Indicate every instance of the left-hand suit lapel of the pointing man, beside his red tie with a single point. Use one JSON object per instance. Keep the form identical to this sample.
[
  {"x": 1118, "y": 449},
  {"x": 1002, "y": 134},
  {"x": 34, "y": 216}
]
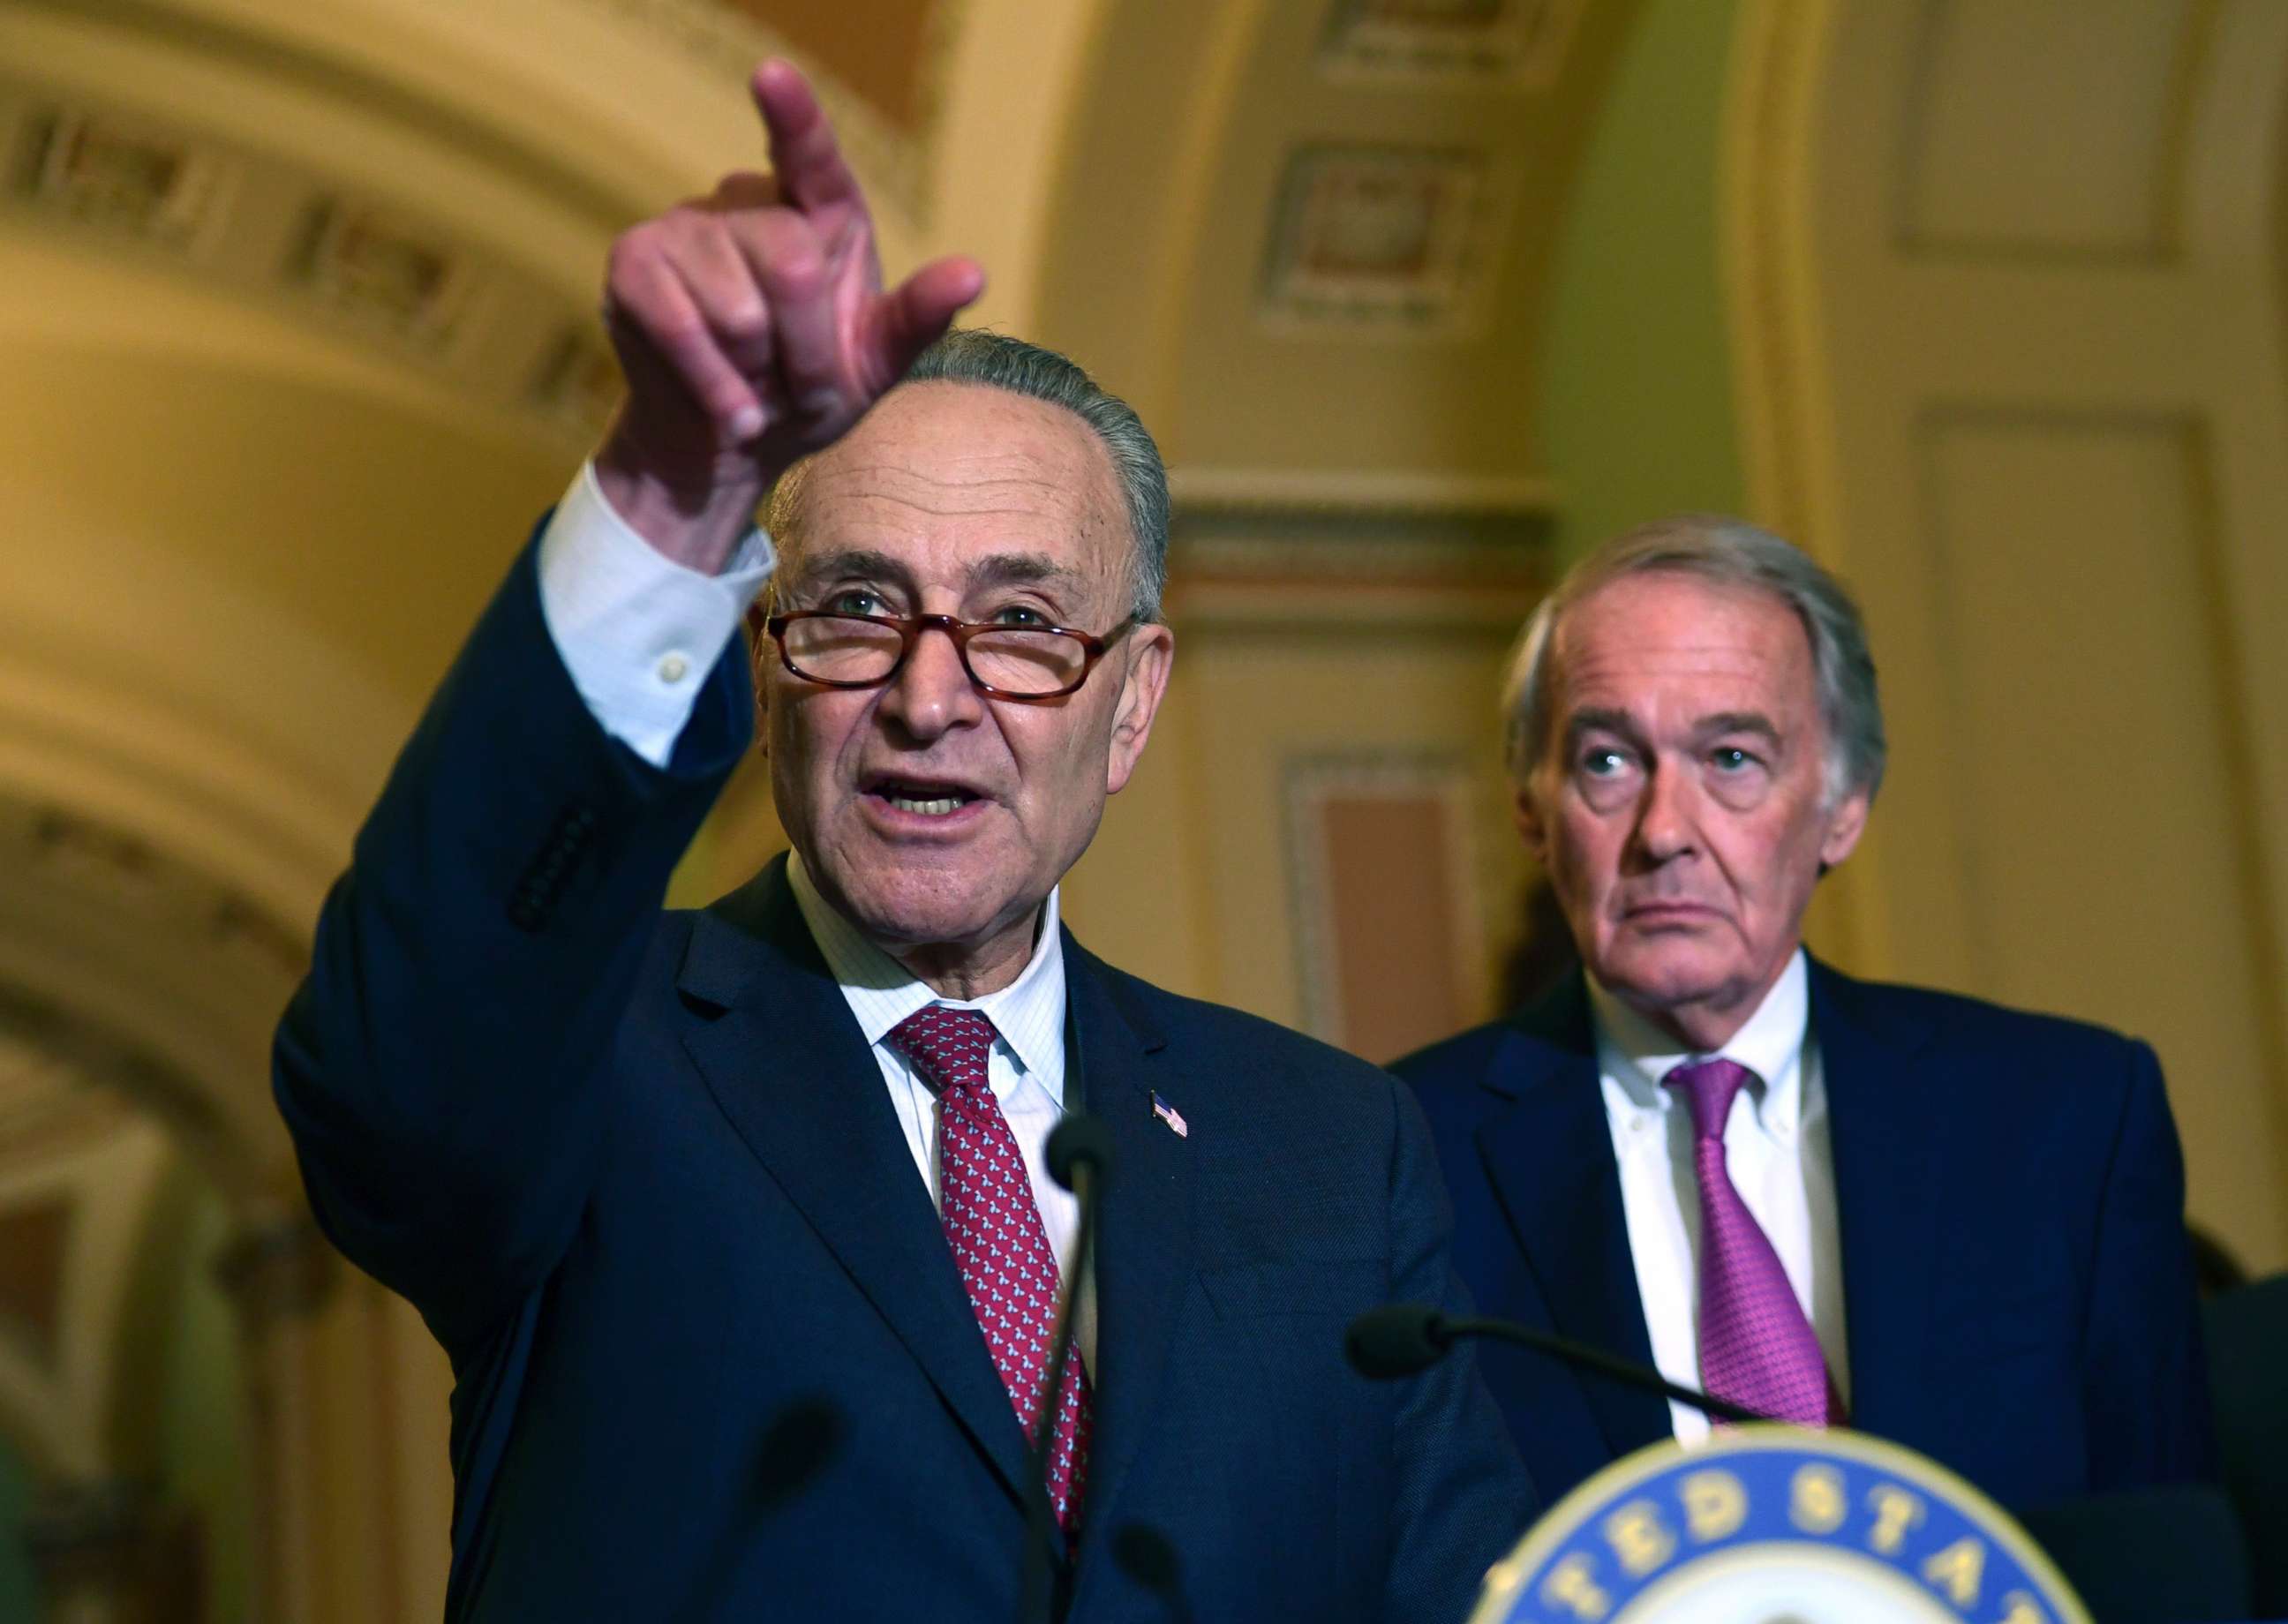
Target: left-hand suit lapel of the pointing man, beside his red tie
[{"x": 795, "y": 1076}]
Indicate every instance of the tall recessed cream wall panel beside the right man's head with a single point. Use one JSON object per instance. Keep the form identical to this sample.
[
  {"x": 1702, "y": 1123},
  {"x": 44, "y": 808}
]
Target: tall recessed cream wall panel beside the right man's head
[{"x": 2088, "y": 676}]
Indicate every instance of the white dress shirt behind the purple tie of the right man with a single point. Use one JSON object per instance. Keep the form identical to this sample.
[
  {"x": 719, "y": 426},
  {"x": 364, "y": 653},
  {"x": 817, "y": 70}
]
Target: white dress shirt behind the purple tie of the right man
[{"x": 1777, "y": 1149}]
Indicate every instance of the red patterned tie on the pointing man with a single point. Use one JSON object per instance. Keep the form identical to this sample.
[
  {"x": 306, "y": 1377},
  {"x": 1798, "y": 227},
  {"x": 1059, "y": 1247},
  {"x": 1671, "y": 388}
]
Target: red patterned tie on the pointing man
[{"x": 994, "y": 1225}]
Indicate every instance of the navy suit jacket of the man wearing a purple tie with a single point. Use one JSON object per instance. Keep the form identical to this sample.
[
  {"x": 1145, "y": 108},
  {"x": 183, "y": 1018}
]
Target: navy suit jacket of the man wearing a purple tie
[{"x": 2010, "y": 1195}]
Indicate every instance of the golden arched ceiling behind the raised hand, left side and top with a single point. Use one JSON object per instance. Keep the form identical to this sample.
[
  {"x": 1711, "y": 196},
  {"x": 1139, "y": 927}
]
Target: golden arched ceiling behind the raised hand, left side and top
[{"x": 296, "y": 337}]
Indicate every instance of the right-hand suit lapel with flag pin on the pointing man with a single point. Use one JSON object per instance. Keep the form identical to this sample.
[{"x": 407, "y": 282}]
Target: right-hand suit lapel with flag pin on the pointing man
[{"x": 1145, "y": 1241}]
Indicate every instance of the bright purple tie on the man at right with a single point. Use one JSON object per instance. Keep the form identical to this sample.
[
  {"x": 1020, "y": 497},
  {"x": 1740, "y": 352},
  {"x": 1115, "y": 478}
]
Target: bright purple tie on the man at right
[{"x": 1756, "y": 1344}]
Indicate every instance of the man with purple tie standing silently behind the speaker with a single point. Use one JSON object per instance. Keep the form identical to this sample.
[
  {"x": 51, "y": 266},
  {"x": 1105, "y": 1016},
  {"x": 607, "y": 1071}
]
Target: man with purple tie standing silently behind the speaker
[{"x": 1939, "y": 1220}]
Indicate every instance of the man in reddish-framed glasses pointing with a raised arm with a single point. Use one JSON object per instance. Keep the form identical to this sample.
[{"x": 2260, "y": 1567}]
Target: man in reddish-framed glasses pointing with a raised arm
[{"x": 736, "y": 1225}]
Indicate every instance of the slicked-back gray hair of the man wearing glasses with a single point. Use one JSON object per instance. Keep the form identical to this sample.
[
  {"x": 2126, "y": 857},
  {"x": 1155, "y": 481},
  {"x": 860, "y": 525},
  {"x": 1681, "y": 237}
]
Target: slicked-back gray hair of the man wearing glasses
[{"x": 992, "y": 360}]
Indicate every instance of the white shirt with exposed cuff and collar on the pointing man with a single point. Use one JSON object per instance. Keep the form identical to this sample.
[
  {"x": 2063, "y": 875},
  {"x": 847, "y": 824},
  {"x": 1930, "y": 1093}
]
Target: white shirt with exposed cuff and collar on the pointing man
[{"x": 639, "y": 635}]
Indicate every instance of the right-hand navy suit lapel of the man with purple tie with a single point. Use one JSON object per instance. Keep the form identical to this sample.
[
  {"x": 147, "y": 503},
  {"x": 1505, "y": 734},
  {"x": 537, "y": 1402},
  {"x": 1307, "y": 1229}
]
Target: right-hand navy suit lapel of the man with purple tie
[{"x": 1886, "y": 1140}]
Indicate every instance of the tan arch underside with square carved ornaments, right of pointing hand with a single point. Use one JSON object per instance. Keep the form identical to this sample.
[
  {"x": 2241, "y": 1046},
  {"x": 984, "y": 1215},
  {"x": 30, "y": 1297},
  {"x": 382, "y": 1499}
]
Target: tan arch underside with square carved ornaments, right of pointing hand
[{"x": 1312, "y": 239}]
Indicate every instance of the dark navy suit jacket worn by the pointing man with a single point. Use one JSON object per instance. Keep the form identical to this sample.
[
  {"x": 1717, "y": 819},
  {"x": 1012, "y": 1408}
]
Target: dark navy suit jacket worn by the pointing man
[{"x": 713, "y": 1355}]
